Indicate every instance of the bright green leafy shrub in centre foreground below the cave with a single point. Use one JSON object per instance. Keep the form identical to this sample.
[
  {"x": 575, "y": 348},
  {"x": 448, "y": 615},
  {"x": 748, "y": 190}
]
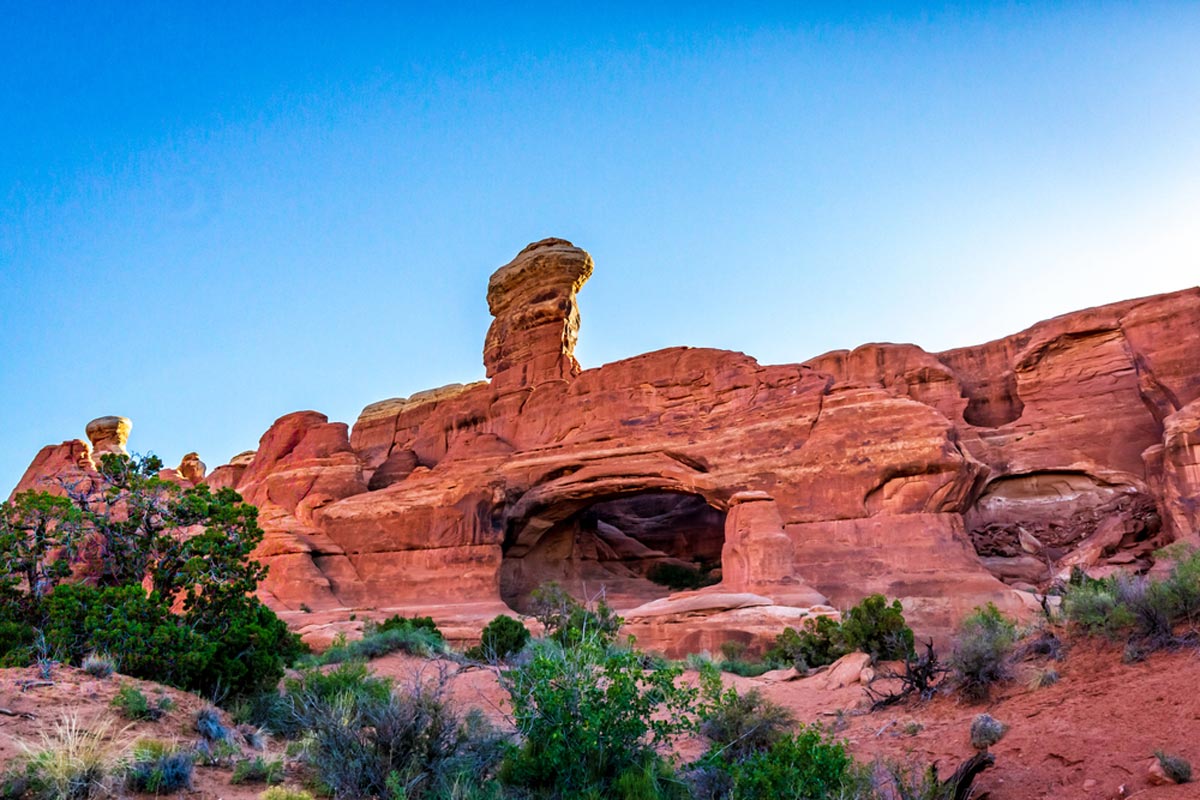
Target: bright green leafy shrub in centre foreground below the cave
[{"x": 589, "y": 713}]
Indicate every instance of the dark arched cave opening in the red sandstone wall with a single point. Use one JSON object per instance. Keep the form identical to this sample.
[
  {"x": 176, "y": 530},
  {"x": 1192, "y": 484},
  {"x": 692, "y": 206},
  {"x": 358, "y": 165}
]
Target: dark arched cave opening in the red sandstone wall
[{"x": 633, "y": 549}]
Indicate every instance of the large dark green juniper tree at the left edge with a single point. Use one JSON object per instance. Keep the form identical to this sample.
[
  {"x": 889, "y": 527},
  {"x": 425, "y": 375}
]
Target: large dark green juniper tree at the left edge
[{"x": 223, "y": 641}]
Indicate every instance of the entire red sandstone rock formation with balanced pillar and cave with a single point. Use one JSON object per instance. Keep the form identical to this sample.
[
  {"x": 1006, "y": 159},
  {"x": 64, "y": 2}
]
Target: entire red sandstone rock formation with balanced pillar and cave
[{"x": 947, "y": 480}]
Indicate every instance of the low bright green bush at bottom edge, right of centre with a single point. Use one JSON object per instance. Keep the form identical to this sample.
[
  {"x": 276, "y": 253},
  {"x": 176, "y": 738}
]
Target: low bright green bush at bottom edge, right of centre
[{"x": 807, "y": 765}]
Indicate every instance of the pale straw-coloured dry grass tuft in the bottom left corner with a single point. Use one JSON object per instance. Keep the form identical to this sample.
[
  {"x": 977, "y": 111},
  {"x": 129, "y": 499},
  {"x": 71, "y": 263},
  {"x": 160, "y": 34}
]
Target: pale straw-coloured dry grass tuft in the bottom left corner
[{"x": 74, "y": 762}]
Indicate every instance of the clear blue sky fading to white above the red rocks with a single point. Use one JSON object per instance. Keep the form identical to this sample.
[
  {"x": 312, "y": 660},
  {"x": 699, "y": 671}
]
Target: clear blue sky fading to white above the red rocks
[{"x": 215, "y": 214}]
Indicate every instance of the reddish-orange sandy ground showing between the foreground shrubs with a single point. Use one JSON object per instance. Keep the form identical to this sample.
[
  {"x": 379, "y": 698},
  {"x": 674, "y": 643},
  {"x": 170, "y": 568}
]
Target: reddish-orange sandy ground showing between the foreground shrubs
[{"x": 1091, "y": 736}]
